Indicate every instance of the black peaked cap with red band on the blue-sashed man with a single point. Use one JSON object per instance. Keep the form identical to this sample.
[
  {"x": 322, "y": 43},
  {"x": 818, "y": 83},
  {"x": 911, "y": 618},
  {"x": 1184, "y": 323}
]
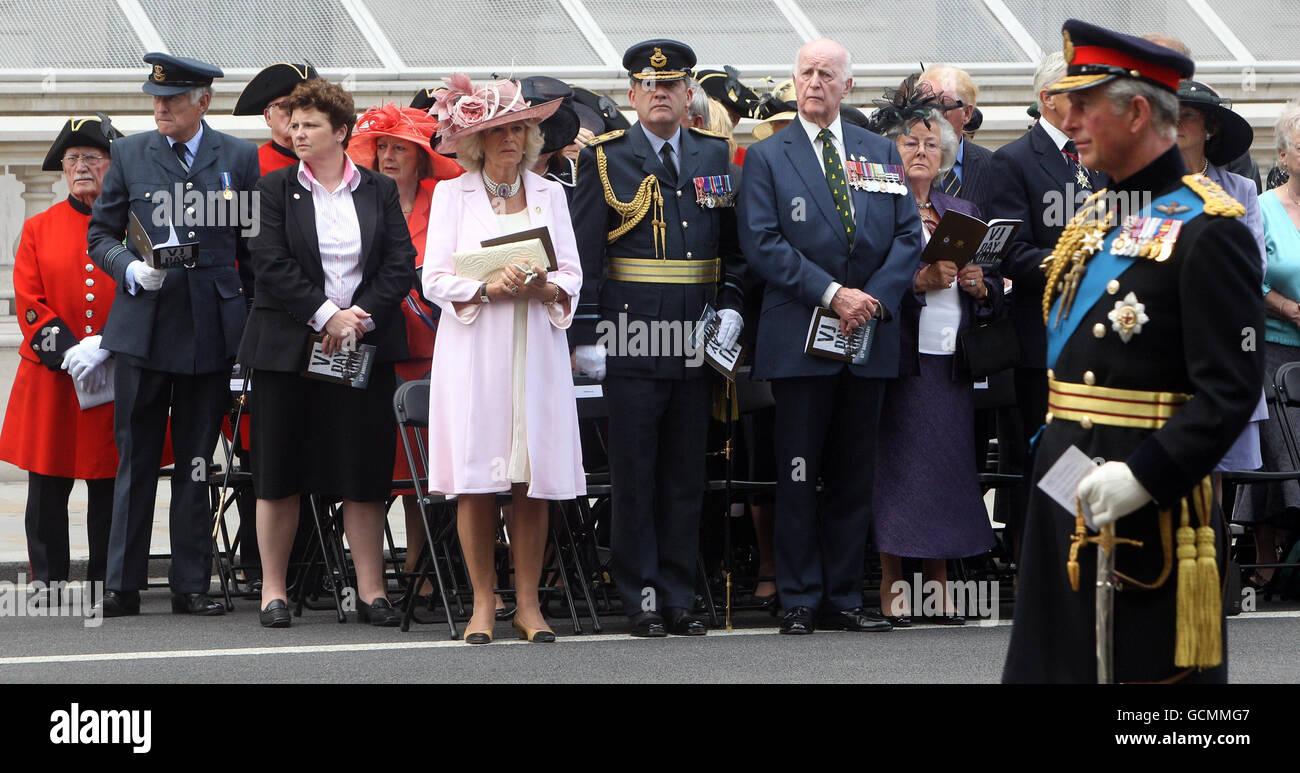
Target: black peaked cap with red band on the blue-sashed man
[{"x": 1097, "y": 55}]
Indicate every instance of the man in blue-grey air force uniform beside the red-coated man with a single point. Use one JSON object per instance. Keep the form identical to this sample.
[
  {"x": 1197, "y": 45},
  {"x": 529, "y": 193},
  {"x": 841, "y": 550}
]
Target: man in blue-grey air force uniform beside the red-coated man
[{"x": 175, "y": 331}]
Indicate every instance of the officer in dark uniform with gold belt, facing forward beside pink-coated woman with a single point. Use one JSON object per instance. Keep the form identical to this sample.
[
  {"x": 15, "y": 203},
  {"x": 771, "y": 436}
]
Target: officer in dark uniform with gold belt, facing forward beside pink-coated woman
[{"x": 655, "y": 220}]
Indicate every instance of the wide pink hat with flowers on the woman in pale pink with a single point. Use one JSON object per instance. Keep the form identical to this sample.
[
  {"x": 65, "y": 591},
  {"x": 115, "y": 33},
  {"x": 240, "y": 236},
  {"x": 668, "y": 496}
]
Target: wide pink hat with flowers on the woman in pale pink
[{"x": 462, "y": 108}]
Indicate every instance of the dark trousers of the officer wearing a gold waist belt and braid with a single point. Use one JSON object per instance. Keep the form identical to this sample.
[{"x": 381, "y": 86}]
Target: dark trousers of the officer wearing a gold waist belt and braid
[{"x": 658, "y": 433}]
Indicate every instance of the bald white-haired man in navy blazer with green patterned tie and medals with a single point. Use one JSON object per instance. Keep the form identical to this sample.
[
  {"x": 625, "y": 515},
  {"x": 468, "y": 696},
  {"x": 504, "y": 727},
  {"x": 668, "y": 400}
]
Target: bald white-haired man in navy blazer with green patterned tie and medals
[{"x": 818, "y": 244}]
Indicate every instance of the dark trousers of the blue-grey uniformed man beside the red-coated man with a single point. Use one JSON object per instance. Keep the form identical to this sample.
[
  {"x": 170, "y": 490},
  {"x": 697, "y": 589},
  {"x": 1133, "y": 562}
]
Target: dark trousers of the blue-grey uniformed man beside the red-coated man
[{"x": 140, "y": 424}]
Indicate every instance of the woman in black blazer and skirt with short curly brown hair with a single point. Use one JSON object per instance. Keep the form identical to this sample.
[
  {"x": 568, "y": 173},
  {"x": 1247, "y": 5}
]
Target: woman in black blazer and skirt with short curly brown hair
[{"x": 332, "y": 257}]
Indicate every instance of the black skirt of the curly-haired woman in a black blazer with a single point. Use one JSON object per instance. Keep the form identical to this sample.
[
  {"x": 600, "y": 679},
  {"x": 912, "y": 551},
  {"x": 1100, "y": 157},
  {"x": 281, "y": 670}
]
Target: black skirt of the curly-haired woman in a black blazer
[{"x": 314, "y": 437}]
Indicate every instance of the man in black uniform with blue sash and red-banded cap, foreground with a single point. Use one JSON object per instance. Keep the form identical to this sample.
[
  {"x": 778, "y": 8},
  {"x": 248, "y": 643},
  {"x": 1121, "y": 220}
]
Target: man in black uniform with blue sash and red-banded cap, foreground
[{"x": 1152, "y": 307}]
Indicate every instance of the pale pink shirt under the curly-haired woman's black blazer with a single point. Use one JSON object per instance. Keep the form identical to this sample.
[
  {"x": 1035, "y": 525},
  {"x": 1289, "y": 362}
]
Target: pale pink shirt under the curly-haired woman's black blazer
[{"x": 340, "y": 237}]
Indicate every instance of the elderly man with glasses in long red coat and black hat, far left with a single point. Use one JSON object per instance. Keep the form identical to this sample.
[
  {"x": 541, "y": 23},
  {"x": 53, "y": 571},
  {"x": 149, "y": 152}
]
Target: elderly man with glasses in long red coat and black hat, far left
[{"x": 63, "y": 301}]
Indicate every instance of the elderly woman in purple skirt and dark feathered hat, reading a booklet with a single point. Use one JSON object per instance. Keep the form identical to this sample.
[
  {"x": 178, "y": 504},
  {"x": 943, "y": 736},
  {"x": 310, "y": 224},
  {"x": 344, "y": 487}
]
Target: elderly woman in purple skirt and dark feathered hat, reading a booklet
[{"x": 928, "y": 502}]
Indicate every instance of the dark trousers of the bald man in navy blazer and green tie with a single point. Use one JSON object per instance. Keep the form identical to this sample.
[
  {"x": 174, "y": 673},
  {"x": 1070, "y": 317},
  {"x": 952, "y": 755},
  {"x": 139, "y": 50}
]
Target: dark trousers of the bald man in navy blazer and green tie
[{"x": 826, "y": 428}]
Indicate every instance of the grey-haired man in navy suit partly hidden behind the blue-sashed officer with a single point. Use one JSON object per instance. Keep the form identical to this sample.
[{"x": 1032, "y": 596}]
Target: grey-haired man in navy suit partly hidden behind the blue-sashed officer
[{"x": 1041, "y": 181}]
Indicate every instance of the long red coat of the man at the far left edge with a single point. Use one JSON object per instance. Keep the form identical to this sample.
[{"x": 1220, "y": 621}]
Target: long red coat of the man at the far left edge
[{"x": 62, "y": 297}]
